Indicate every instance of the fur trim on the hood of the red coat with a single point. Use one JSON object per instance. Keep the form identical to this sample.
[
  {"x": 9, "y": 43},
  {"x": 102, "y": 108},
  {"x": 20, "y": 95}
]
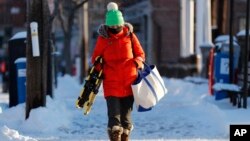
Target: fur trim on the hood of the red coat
[{"x": 103, "y": 30}]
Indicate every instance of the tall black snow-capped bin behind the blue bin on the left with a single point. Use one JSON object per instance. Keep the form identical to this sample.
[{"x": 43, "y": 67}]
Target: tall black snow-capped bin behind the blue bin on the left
[{"x": 16, "y": 49}]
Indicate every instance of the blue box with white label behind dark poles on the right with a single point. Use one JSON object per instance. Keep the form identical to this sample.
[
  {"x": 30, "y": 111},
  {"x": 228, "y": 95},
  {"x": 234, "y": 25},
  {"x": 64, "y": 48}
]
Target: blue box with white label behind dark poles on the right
[{"x": 221, "y": 65}]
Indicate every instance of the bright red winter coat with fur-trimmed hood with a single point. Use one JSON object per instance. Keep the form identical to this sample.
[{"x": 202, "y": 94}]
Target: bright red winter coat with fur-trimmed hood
[{"x": 120, "y": 60}]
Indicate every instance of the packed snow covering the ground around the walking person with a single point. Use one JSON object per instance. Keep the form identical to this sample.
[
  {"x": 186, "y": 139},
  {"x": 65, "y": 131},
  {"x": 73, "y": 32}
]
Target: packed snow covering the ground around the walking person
[{"x": 186, "y": 113}]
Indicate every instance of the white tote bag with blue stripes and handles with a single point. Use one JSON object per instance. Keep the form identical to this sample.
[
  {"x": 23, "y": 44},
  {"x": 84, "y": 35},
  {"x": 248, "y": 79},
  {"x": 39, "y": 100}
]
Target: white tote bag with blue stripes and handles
[{"x": 148, "y": 88}]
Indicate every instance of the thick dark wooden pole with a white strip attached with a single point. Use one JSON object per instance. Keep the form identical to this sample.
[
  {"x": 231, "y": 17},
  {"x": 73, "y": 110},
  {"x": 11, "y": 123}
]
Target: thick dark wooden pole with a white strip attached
[{"x": 37, "y": 66}]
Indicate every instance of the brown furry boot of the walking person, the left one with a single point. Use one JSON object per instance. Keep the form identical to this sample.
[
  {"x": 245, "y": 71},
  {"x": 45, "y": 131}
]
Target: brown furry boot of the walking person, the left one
[{"x": 115, "y": 133}]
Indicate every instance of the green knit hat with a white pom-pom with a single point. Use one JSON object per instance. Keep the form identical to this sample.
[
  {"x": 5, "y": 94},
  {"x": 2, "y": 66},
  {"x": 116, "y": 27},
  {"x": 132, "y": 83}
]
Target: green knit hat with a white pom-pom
[{"x": 113, "y": 15}]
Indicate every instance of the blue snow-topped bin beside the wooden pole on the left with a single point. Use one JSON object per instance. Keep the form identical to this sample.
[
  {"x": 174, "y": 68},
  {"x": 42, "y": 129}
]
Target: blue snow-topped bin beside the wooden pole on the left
[{"x": 21, "y": 79}]
